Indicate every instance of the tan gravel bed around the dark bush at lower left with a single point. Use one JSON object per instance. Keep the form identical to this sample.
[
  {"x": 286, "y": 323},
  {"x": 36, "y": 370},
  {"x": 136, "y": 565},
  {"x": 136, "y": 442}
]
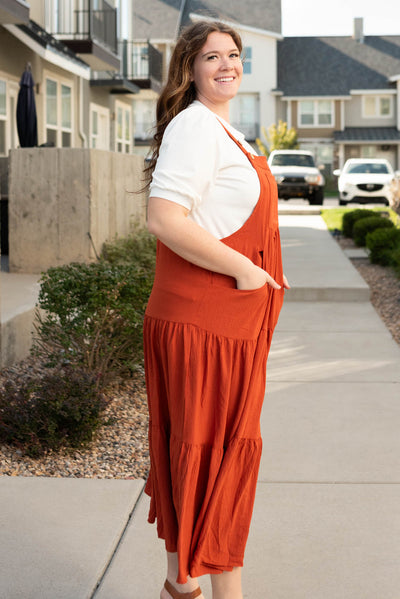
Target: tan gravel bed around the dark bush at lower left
[{"x": 120, "y": 449}]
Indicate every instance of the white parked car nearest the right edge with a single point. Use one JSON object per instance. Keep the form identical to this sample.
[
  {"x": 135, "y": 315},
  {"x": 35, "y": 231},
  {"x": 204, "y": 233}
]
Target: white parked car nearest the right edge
[{"x": 365, "y": 180}]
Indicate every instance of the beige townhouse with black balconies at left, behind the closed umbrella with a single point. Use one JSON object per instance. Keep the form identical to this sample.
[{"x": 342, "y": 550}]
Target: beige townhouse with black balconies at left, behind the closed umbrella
[{"x": 68, "y": 45}]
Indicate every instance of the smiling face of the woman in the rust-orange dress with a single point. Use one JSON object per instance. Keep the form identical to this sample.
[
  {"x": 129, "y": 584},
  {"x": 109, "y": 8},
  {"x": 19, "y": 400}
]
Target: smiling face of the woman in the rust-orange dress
[{"x": 217, "y": 70}]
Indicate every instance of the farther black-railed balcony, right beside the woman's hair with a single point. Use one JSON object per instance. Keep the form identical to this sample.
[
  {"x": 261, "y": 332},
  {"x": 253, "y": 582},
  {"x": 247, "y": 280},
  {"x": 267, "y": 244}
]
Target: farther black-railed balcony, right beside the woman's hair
[{"x": 142, "y": 64}]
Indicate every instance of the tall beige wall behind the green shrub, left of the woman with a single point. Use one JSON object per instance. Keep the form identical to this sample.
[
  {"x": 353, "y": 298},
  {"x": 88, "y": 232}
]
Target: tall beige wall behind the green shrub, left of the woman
[{"x": 59, "y": 195}]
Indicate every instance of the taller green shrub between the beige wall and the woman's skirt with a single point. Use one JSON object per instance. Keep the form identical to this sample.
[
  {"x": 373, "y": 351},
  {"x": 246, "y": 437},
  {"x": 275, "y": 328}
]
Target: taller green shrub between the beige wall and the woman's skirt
[{"x": 93, "y": 317}]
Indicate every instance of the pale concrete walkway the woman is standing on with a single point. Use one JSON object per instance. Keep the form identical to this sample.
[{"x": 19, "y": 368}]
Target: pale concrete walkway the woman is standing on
[{"x": 326, "y": 522}]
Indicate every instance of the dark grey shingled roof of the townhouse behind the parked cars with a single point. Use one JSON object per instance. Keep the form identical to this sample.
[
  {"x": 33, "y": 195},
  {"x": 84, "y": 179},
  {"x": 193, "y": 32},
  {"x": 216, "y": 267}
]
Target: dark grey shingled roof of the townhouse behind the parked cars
[{"x": 332, "y": 66}]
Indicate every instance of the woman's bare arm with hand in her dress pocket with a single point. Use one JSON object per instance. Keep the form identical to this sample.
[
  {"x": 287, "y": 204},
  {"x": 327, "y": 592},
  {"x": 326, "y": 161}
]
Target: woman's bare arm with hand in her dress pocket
[{"x": 168, "y": 221}]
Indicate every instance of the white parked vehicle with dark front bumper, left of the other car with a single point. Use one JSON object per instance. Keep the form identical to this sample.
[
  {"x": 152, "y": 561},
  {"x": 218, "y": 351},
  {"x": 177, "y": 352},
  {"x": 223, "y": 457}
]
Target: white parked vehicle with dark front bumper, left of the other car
[{"x": 297, "y": 175}]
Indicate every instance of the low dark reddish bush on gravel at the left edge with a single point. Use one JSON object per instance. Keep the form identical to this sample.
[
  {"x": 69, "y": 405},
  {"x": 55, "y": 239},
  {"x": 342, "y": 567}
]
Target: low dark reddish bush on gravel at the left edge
[{"x": 63, "y": 408}]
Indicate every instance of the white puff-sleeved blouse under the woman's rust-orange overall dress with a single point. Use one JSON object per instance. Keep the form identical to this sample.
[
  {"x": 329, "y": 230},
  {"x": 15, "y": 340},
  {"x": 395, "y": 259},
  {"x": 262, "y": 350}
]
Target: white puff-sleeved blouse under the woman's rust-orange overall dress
[{"x": 201, "y": 168}]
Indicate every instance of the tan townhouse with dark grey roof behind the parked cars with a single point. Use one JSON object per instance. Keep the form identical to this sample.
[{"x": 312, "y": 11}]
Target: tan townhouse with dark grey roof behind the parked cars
[{"x": 342, "y": 95}]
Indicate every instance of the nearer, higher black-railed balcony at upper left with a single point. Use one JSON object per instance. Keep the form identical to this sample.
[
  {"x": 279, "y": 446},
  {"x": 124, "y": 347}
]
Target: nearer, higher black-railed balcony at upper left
[{"x": 92, "y": 35}]
